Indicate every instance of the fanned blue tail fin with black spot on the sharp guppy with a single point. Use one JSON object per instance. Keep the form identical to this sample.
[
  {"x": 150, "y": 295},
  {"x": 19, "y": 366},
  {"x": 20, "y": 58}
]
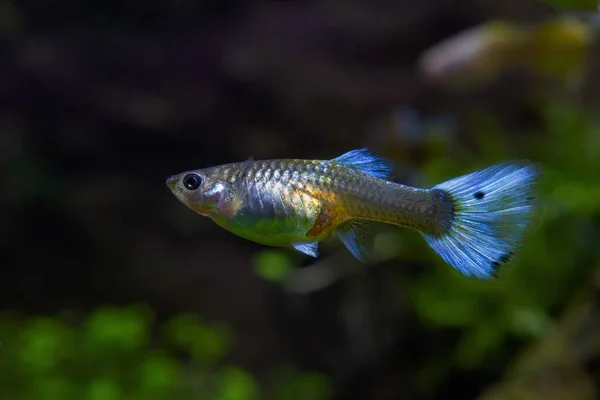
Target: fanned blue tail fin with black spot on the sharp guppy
[{"x": 492, "y": 209}]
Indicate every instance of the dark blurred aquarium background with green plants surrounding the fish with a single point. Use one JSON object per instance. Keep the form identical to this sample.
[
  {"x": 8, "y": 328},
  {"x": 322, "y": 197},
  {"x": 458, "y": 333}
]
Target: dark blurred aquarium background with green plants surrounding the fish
[{"x": 100, "y": 101}]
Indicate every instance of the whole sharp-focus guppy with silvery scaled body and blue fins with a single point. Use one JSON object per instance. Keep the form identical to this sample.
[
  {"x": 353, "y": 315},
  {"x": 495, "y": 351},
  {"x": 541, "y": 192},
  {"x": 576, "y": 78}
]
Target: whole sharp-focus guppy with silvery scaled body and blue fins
[{"x": 475, "y": 222}]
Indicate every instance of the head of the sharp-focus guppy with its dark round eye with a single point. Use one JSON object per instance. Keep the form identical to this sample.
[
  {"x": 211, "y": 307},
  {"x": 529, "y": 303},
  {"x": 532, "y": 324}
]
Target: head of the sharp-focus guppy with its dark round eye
[{"x": 206, "y": 192}]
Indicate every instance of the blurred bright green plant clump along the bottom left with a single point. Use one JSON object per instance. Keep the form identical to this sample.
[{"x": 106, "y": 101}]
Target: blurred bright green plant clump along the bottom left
[{"x": 114, "y": 354}]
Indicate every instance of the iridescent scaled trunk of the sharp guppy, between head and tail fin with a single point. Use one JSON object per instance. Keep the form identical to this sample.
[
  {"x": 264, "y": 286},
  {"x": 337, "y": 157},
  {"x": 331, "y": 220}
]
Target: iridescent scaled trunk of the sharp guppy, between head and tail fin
[{"x": 310, "y": 199}]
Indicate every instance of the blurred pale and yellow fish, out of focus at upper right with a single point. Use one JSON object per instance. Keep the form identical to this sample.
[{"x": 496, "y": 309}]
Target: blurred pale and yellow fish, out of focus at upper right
[{"x": 556, "y": 49}]
